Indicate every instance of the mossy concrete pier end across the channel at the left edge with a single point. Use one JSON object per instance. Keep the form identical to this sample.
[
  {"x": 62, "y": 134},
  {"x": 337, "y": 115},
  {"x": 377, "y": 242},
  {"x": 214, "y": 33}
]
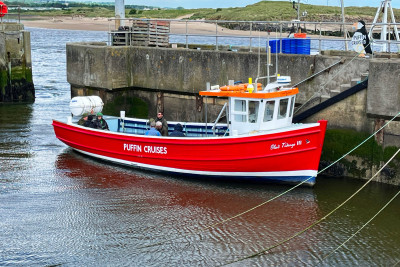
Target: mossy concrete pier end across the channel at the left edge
[{"x": 16, "y": 82}]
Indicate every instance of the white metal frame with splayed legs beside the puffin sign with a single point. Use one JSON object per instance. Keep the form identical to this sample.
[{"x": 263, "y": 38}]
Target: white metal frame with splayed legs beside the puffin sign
[{"x": 386, "y": 9}]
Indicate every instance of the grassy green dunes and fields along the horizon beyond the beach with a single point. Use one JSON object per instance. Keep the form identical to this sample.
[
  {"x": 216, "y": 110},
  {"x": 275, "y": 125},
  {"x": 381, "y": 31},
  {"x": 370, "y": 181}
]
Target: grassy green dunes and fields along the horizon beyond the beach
[{"x": 261, "y": 11}]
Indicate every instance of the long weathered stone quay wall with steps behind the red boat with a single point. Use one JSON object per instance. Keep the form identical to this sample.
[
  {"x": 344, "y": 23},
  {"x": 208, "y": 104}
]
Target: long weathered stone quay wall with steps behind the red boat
[{"x": 144, "y": 80}]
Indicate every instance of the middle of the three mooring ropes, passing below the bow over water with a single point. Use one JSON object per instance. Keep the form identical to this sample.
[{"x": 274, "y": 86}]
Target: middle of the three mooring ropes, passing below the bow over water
[{"x": 263, "y": 251}]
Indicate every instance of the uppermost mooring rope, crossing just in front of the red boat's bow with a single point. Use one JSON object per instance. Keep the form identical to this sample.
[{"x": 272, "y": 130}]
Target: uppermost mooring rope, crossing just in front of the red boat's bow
[{"x": 271, "y": 199}]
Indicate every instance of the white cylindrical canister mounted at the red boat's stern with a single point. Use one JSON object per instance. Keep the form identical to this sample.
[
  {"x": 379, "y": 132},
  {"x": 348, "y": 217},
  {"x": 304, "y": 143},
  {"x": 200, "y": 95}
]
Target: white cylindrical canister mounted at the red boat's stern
[{"x": 81, "y": 104}]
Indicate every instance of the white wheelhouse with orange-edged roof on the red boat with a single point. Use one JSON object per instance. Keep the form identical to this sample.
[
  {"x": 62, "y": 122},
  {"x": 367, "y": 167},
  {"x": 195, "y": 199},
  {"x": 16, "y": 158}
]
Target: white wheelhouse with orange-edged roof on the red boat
[{"x": 258, "y": 110}]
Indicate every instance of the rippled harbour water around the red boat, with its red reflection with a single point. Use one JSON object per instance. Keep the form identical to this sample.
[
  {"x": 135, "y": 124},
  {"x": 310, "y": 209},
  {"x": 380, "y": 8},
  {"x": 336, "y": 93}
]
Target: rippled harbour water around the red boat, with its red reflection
[{"x": 58, "y": 207}]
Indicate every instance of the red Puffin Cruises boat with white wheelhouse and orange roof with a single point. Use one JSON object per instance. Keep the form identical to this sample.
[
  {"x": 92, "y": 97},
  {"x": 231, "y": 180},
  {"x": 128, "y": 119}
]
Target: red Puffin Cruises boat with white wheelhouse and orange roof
[{"x": 259, "y": 142}]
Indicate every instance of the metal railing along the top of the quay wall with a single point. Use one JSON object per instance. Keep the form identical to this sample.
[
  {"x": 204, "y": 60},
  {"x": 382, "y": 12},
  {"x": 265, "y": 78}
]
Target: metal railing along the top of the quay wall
[{"x": 253, "y": 34}]
